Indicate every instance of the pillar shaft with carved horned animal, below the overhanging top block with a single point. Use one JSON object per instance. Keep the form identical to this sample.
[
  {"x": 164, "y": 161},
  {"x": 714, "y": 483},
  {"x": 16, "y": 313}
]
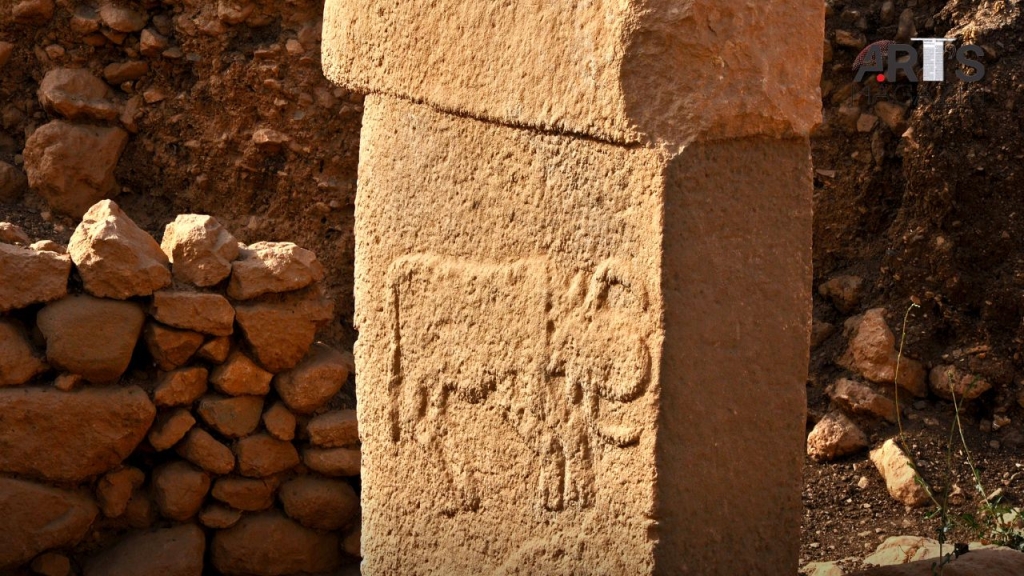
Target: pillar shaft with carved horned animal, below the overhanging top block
[{"x": 577, "y": 357}]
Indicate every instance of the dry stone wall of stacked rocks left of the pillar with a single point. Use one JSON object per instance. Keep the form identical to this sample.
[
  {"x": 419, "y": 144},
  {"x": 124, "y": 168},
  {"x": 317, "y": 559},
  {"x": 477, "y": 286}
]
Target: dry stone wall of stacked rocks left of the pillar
[{"x": 165, "y": 409}]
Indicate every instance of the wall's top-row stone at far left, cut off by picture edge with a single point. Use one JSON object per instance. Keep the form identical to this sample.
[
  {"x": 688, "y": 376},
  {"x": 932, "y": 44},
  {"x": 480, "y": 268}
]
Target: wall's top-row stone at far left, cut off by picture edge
[{"x": 31, "y": 277}]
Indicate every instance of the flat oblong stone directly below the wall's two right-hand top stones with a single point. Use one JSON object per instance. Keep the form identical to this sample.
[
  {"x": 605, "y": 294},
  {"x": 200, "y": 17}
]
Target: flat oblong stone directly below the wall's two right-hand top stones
[{"x": 209, "y": 314}]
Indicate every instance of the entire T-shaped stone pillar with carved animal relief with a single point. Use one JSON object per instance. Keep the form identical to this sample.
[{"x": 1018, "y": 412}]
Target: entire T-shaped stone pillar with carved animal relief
[{"x": 583, "y": 281}]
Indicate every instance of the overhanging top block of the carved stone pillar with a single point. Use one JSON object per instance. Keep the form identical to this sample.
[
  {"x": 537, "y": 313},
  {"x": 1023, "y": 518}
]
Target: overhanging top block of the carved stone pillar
[{"x": 610, "y": 70}]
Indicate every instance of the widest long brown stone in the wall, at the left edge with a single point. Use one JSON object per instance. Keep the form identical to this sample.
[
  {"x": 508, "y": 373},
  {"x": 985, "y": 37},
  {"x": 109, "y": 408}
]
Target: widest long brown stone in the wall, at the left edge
[{"x": 71, "y": 437}]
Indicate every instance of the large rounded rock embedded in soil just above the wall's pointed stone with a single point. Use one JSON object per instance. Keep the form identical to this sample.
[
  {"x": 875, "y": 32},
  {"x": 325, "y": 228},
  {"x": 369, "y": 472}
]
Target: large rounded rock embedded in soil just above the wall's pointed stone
[{"x": 72, "y": 166}]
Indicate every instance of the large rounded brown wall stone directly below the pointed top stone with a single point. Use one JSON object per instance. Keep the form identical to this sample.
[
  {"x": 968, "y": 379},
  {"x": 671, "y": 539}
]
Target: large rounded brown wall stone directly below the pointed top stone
[{"x": 91, "y": 337}]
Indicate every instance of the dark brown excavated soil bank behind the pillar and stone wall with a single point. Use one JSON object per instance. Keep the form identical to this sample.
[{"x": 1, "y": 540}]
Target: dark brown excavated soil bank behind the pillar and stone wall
[{"x": 934, "y": 215}]
